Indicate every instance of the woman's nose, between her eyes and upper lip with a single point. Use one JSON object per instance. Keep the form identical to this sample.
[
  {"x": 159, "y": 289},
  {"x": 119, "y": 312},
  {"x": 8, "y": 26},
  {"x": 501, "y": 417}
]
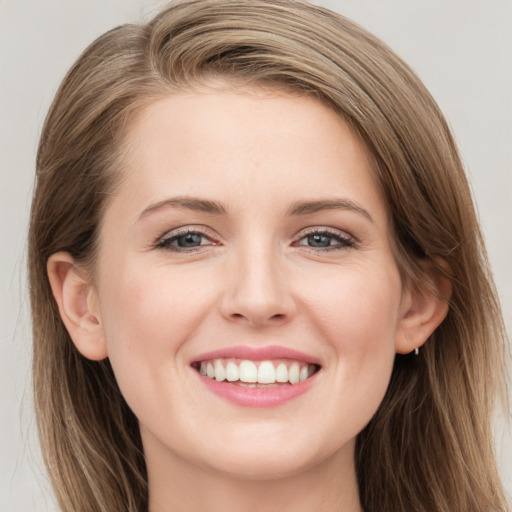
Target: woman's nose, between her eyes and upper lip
[{"x": 257, "y": 291}]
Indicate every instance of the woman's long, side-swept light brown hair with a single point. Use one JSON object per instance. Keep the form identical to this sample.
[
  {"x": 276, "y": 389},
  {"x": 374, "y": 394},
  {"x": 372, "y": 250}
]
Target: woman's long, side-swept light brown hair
[{"x": 429, "y": 447}]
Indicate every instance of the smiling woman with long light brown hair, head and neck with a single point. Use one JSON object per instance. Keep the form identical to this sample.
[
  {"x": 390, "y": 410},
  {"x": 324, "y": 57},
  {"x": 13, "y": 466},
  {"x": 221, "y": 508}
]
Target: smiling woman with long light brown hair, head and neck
[{"x": 257, "y": 278}]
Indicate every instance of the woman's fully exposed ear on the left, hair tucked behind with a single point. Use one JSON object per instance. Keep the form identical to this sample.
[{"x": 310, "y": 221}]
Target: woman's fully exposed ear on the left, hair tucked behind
[{"x": 78, "y": 305}]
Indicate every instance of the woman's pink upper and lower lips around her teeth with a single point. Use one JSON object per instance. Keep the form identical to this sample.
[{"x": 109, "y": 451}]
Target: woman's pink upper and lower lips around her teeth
[{"x": 257, "y": 397}]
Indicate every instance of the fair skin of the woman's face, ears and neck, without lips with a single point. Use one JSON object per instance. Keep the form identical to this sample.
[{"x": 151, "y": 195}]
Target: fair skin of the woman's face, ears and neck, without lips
[{"x": 255, "y": 280}]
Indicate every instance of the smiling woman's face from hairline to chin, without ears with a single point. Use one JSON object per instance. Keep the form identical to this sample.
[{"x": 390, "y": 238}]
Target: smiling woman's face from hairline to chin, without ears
[{"x": 249, "y": 235}]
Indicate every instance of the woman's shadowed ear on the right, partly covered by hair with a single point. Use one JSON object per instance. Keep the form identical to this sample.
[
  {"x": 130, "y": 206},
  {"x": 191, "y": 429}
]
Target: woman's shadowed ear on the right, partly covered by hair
[{"x": 424, "y": 307}]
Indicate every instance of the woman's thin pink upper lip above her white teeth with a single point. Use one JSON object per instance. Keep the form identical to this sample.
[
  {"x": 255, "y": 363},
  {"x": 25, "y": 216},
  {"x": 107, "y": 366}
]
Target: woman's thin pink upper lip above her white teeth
[{"x": 257, "y": 354}]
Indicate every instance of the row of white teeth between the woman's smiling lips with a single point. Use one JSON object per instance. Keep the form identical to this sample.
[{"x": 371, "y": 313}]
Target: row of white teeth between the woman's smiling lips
[{"x": 256, "y": 374}]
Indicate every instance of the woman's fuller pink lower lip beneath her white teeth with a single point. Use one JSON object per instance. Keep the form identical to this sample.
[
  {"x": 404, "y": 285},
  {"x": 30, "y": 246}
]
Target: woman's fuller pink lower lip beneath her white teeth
[{"x": 257, "y": 397}]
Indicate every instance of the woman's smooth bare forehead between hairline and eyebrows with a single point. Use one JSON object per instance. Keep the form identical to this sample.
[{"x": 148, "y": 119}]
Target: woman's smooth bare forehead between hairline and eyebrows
[{"x": 222, "y": 142}]
